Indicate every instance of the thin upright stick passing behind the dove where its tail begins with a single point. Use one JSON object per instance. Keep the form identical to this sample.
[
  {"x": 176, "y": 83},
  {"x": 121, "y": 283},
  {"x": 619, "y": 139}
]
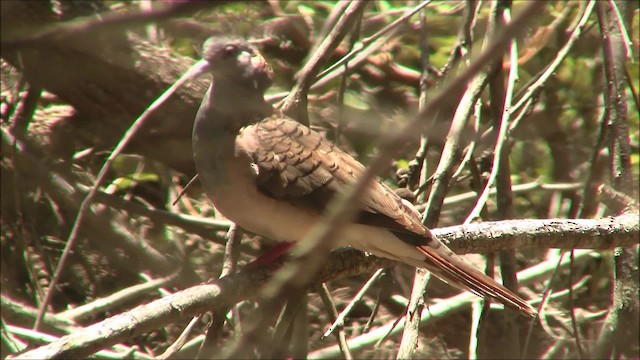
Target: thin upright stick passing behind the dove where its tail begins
[{"x": 409, "y": 341}]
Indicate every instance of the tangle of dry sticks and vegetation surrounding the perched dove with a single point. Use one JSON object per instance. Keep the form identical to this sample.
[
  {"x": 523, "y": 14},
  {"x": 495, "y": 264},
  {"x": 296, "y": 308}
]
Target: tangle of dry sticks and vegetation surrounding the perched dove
[{"x": 138, "y": 269}]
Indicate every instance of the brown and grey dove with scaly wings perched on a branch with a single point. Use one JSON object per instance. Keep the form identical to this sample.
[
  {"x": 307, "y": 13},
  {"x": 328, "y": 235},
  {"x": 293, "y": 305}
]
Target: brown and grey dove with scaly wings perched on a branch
[{"x": 274, "y": 176}]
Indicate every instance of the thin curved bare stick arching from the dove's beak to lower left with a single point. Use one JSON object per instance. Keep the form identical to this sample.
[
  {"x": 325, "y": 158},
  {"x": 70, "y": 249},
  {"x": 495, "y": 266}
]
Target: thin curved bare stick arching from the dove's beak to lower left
[{"x": 86, "y": 202}]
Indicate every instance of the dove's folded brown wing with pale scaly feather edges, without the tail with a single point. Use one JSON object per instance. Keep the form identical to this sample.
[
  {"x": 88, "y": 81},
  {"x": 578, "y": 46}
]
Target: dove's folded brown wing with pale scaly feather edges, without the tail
[{"x": 298, "y": 165}]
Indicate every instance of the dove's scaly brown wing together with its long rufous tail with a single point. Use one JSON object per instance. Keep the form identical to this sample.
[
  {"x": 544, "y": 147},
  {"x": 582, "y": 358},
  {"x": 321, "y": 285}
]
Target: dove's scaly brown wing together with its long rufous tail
[{"x": 298, "y": 165}]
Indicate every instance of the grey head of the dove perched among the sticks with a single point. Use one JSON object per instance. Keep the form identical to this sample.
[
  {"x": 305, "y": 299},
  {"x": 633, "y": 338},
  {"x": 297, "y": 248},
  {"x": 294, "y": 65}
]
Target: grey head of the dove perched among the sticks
[{"x": 238, "y": 61}]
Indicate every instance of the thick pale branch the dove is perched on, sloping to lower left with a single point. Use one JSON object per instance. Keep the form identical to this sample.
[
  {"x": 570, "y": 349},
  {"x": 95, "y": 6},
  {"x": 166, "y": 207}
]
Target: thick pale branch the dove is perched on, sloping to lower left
[{"x": 622, "y": 230}]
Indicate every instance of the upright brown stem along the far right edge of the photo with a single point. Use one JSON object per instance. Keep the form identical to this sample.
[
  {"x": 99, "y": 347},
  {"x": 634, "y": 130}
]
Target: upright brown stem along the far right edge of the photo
[{"x": 619, "y": 330}]
